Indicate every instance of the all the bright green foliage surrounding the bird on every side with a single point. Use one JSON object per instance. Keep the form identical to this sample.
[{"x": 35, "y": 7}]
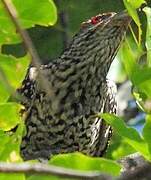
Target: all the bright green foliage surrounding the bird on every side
[{"x": 13, "y": 70}]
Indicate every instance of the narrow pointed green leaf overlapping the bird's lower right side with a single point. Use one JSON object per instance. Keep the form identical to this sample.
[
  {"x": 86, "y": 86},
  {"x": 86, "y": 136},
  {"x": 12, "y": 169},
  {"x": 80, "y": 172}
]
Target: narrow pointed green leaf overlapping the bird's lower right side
[{"x": 130, "y": 135}]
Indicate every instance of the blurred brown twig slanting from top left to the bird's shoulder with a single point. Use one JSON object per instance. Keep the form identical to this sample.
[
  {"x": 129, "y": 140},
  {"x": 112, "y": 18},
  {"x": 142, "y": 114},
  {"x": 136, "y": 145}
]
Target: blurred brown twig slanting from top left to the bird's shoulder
[{"x": 27, "y": 42}]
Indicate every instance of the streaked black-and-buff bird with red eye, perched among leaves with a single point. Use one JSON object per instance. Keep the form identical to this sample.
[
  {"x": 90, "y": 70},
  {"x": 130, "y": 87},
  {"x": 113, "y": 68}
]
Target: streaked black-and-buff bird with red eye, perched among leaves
[{"x": 64, "y": 120}]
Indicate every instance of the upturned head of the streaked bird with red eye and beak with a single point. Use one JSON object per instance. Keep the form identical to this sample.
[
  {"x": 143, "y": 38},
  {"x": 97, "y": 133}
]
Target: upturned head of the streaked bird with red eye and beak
[{"x": 105, "y": 26}]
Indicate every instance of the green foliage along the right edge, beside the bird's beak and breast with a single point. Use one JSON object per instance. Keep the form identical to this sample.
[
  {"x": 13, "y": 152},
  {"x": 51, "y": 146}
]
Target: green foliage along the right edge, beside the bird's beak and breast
[{"x": 131, "y": 54}]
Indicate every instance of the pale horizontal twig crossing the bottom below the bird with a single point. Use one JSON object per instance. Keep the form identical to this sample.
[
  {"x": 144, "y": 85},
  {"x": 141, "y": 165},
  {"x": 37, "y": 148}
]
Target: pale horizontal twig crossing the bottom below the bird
[{"x": 50, "y": 170}]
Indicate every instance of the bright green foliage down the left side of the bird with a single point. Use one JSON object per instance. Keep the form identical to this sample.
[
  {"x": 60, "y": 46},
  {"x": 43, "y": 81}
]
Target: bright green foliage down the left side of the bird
[{"x": 12, "y": 73}]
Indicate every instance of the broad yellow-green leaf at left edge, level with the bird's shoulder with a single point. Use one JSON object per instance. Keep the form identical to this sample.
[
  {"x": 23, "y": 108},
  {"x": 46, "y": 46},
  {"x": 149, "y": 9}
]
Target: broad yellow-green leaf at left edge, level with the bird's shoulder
[{"x": 12, "y": 73}]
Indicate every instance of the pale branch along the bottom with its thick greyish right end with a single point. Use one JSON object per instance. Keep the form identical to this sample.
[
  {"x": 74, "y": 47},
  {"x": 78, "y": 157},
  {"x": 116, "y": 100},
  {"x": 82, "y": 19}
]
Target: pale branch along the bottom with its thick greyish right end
[{"x": 135, "y": 167}]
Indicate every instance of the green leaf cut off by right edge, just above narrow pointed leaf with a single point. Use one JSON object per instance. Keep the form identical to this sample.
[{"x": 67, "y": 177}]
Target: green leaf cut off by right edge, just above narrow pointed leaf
[{"x": 146, "y": 132}]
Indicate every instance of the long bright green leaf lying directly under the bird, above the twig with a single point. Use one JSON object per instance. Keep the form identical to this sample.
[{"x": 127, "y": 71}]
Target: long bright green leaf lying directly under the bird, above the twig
[{"x": 82, "y": 162}]
